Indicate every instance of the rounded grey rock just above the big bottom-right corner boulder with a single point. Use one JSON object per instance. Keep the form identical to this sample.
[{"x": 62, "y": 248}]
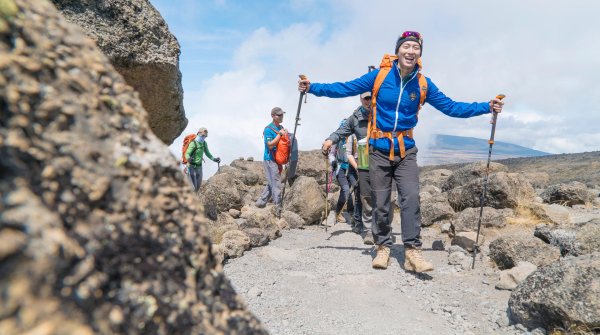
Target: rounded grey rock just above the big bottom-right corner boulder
[{"x": 506, "y": 251}]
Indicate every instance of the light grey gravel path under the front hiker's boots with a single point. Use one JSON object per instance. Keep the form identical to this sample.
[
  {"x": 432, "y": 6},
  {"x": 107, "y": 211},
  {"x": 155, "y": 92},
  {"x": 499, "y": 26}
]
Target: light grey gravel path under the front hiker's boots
[{"x": 314, "y": 282}]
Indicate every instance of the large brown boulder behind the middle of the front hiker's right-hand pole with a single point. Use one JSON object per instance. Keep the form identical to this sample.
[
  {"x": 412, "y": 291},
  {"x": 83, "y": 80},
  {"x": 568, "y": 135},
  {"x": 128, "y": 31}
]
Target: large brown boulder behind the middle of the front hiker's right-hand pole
[{"x": 504, "y": 190}]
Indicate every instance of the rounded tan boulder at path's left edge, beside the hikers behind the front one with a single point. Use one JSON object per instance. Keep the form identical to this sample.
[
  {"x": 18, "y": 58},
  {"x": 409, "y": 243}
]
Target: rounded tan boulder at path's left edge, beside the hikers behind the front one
[{"x": 306, "y": 199}]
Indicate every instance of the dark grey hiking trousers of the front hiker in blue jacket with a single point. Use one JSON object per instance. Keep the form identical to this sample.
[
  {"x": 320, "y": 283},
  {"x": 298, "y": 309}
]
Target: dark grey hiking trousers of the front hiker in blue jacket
[{"x": 405, "y": 173}]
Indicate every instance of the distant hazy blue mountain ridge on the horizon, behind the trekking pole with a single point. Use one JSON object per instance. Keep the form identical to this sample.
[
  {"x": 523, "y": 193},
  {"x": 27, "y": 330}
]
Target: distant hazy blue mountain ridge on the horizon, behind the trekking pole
[{"x": 449, "y": 149}]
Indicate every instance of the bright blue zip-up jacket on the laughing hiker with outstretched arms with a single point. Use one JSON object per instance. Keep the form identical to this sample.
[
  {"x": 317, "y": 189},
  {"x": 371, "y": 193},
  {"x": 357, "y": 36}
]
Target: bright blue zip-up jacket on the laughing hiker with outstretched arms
[{"x": 394, "y": 115}]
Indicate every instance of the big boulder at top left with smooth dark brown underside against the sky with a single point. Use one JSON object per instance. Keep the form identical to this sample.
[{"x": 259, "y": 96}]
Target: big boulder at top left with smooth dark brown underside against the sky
[{"x": 137, "y": 41}]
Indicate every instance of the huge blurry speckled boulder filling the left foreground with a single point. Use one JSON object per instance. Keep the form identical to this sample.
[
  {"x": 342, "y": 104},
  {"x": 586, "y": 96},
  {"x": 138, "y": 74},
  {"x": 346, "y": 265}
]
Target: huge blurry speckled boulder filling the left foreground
[{"x": 99, "y": 231}]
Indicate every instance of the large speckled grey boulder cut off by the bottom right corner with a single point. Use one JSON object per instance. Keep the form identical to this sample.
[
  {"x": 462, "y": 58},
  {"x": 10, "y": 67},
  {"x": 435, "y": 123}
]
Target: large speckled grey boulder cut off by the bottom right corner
[{"x": 563, "y": 295}]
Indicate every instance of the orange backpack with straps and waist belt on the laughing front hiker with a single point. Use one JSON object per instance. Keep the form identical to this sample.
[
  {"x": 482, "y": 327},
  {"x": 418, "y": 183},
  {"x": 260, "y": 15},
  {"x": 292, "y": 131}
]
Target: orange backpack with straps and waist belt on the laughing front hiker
[{"x": 372, "y": 131}]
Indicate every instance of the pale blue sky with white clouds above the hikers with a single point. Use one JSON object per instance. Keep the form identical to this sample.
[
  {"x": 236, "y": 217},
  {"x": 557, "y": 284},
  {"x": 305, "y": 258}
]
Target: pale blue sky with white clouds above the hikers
[{"x": 241, "y": 58}]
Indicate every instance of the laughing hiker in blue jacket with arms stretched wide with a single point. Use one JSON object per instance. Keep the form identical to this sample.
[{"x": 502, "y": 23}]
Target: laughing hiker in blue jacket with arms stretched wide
[{"x": 392, "y": 150}]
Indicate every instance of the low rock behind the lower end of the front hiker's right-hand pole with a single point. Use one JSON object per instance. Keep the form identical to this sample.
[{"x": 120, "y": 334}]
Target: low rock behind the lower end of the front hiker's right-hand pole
[{"x": 468, "y": 219}]
